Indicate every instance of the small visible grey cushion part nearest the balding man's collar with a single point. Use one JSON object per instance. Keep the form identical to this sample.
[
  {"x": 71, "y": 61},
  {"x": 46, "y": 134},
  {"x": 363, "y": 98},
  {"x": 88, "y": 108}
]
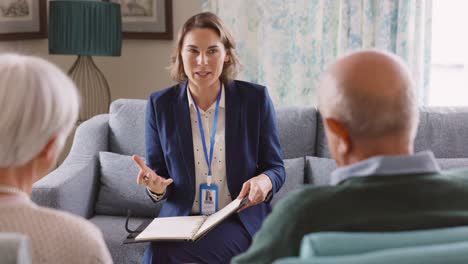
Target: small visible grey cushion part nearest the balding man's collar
[{"x": 318, "y": 170}]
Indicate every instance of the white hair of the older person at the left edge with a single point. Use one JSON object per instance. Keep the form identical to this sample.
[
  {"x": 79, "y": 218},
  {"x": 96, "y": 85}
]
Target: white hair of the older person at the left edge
[{"x": 37, "y": 103}]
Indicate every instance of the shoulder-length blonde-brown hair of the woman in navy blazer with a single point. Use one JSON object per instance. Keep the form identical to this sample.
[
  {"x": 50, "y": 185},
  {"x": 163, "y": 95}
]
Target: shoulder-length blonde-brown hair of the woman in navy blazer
[{"x": 210, "y": 21}]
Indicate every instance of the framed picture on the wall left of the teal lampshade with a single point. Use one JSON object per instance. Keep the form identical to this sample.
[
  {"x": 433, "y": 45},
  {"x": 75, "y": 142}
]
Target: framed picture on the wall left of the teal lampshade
[{"x": 23, "y": 19}]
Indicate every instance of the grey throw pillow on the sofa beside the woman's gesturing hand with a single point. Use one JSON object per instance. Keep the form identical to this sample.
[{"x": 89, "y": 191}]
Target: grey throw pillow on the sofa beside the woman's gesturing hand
[{"x": 119, "y": 190}]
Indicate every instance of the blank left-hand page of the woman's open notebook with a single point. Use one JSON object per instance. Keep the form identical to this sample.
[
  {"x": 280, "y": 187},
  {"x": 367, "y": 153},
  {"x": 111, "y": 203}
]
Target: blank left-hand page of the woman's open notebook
[{"x": 166, "y": 228}]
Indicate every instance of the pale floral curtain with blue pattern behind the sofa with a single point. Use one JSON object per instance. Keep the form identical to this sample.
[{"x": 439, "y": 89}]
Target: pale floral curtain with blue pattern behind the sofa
[{"x": 286, "y": 44}]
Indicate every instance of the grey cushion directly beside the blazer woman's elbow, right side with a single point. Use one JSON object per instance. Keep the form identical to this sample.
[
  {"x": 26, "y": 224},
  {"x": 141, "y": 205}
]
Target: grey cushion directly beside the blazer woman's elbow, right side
[{"x": 294, "y": 178}]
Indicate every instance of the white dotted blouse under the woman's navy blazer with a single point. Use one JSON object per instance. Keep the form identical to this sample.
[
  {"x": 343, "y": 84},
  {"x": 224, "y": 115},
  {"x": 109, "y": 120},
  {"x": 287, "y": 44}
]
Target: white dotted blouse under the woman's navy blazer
[{"x": 218, "y": 165}]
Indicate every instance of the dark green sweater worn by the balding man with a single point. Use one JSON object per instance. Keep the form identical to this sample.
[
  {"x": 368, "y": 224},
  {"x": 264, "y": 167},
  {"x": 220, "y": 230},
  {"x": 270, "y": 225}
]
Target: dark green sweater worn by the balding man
[{"x": 375, "y": 203}]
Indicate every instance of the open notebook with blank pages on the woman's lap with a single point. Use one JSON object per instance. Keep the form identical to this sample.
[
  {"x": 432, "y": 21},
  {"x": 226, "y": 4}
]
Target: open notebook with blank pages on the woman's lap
[{"x": 186, "y": 228}]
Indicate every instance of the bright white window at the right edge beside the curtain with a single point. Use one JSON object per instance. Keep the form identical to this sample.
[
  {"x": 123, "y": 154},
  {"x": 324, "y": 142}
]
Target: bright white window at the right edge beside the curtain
[{"x": 449, "y": 69}]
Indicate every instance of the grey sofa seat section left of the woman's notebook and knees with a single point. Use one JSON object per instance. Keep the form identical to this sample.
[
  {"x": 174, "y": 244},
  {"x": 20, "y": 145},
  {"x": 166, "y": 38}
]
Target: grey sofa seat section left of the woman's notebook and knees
[{"x": 113, "y": 230}]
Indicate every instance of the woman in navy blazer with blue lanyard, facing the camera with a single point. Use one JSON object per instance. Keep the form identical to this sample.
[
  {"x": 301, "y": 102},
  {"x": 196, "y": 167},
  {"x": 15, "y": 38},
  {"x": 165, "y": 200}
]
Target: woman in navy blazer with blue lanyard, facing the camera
[{"x": 210, "y": 132}]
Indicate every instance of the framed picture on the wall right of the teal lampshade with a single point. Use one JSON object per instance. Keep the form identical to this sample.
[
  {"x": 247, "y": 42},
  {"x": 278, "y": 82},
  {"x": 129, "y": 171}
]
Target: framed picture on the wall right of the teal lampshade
[{"x": 146, "y": 19}]
